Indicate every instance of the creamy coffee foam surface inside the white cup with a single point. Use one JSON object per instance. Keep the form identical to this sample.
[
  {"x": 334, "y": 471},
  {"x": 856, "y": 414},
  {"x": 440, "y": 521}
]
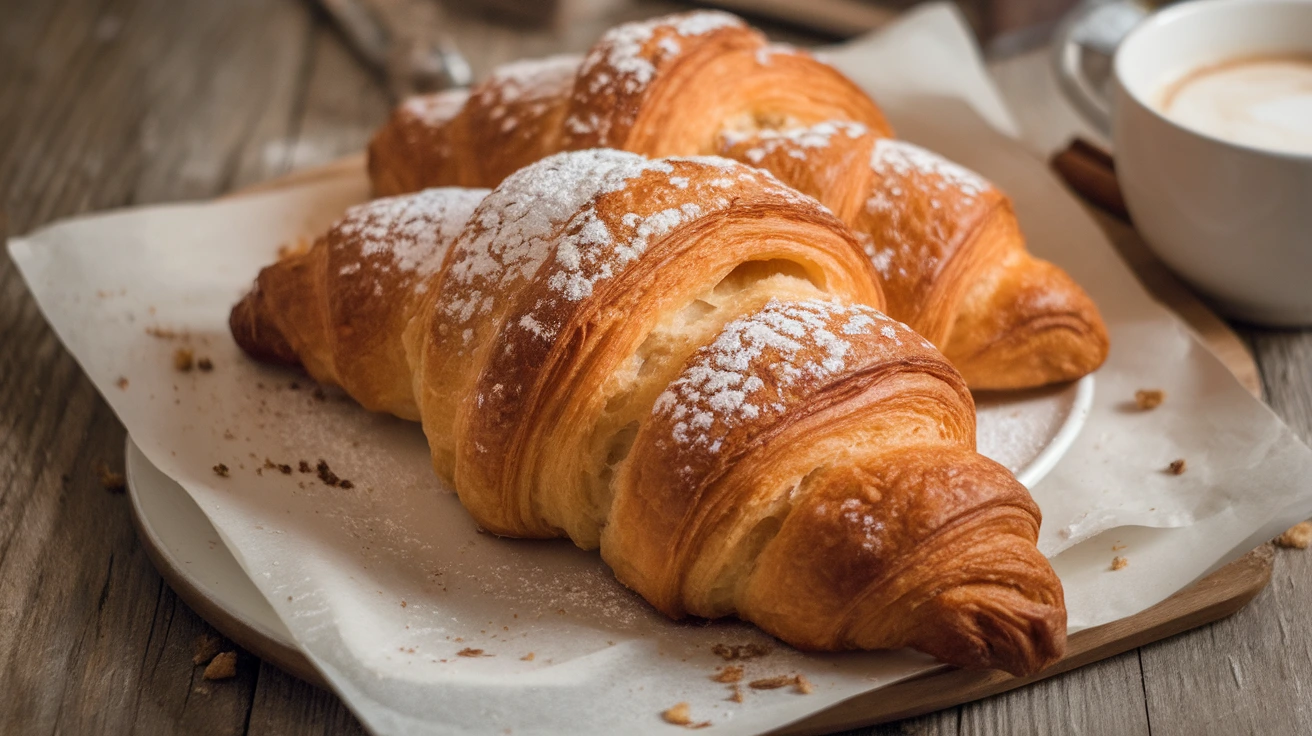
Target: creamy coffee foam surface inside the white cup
[{"x": 1260, "y": 102}]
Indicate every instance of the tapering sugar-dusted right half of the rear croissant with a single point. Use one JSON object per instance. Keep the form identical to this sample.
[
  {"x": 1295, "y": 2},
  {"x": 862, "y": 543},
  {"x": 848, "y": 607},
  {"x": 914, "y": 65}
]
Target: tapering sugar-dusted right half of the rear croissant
[{"x": 949, "y": 251}]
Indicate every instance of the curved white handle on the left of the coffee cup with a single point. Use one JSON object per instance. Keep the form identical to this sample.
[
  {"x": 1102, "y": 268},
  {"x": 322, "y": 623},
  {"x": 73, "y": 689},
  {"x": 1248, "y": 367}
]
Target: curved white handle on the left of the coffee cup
[{"x": 1097, "y": 27}]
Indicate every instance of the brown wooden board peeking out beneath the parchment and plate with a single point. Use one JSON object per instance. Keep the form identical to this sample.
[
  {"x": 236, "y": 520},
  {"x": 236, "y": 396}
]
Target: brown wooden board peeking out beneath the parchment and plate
[{"x": 1212, "y": 599}]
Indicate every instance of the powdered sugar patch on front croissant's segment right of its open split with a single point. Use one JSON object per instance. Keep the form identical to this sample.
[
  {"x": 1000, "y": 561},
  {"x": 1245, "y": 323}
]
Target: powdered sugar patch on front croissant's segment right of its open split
[{"x": 725, "y": 384}]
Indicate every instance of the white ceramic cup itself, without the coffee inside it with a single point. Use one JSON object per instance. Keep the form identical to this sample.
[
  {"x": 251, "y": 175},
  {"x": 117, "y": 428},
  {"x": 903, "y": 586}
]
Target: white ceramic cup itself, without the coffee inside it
[{"x": 1234, "y": 221}]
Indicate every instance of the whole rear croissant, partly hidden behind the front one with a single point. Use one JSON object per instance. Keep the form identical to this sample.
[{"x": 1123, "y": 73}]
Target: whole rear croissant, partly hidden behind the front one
[{"x": 947, "y": 242}]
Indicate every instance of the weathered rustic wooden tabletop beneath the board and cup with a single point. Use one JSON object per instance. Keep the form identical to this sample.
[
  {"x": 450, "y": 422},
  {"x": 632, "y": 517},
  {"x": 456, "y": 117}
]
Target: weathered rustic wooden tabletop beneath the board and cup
[{"x": 115, "y": 103}]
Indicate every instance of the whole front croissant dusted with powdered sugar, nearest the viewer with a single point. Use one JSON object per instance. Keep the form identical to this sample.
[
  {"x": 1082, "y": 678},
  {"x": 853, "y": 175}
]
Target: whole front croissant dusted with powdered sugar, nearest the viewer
[{"x": 680, "y": 363}]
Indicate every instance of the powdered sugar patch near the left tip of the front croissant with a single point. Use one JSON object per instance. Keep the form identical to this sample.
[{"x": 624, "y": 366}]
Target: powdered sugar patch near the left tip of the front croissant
[{"x": 409, "y": 234}]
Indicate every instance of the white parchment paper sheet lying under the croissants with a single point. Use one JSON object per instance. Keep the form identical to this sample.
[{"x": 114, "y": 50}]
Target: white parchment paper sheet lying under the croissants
[{"x": 385, "y": 583}]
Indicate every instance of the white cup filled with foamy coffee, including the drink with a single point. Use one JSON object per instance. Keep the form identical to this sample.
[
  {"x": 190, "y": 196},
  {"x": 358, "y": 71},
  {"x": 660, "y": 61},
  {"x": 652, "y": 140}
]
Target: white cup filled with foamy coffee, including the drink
[{"x": 1212, "y": 121}]
